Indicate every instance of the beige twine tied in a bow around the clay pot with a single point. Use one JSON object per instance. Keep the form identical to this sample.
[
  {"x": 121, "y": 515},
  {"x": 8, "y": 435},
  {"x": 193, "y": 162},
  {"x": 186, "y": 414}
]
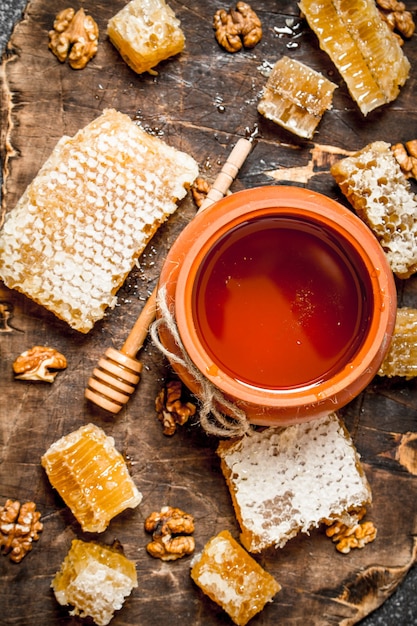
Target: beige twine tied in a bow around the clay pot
[{"x": 212, "y": 420}]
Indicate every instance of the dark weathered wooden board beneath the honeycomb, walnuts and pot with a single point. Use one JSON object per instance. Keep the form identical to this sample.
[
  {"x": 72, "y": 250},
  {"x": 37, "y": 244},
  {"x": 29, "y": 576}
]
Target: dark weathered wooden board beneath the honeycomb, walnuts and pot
[{"x": 200, "y": 102}]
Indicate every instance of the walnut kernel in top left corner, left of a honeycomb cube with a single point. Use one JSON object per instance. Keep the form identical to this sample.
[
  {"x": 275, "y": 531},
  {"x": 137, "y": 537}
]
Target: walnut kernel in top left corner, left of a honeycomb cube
[{"x": 75, "y": 35}]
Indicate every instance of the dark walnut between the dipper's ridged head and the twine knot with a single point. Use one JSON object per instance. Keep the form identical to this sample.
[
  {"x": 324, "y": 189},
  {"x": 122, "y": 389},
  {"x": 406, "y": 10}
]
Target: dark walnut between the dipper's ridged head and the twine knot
[{"x": 170, "y": 407}]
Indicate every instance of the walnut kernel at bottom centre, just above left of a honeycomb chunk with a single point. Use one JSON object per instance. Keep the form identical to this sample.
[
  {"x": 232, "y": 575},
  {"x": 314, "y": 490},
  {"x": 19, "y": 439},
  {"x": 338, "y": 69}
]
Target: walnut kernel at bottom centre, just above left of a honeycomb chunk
[{"x": 171, "y": 529}]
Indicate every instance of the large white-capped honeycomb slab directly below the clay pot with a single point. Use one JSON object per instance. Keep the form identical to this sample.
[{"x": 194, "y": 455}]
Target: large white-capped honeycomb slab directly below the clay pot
[{"x": 285, "y": 481}]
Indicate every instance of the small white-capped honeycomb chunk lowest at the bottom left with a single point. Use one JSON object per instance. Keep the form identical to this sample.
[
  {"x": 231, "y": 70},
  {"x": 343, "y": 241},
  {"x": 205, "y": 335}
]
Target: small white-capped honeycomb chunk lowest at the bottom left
[{"x": 94, "y": 579}]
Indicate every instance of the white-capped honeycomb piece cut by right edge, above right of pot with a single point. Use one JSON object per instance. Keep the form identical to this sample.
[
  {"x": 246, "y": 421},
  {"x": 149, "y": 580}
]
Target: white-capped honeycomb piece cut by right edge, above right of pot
[{"x": 372, "y": 181}]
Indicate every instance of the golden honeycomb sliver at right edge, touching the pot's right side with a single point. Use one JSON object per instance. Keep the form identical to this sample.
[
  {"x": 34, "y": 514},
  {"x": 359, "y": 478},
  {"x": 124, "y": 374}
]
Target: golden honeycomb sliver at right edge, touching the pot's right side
[{"x": 401, "y": 359}]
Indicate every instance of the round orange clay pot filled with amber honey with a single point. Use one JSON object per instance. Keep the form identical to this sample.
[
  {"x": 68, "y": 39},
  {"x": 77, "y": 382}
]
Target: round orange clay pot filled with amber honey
[{"x": 283, "y": 300}]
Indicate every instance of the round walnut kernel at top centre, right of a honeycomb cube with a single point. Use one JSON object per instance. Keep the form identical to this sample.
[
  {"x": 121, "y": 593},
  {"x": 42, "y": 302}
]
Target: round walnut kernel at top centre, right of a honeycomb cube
[{"x": 238, "y": 27}]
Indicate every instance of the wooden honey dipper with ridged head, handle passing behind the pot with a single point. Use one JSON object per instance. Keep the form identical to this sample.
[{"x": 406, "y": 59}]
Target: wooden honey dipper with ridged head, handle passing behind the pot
[{"x": 118, "y": 371}]
